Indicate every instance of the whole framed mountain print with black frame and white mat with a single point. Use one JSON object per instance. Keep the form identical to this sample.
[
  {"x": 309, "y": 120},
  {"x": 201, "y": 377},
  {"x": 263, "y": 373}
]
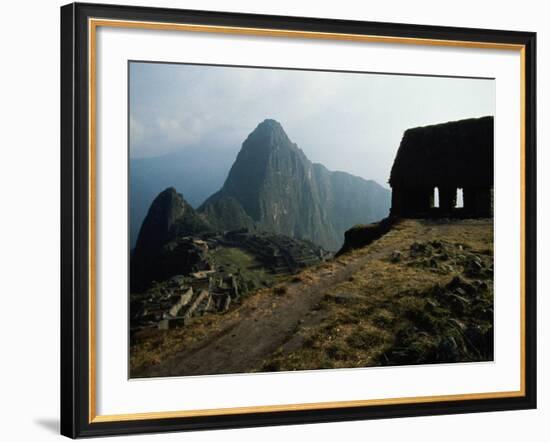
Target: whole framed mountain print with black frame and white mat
[{"x": 279, "y": 220}]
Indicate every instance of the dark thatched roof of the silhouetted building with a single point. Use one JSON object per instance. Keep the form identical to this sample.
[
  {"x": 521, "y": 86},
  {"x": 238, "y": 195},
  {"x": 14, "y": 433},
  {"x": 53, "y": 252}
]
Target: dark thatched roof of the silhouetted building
[{"x": 458, "y": 153}]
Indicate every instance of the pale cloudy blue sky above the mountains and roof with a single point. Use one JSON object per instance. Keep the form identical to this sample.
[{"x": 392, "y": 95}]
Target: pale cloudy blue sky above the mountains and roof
[{"x": 351, "y": 122}]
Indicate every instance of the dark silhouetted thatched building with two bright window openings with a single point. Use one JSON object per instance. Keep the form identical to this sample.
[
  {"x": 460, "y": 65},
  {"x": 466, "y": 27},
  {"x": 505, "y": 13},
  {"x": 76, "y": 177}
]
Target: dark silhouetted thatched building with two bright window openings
[{"x": 436, "y": 164}]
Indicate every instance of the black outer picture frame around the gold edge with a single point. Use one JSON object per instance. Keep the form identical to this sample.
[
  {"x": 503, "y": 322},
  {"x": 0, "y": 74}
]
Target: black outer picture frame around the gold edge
[{"x": 75, "y": 221}]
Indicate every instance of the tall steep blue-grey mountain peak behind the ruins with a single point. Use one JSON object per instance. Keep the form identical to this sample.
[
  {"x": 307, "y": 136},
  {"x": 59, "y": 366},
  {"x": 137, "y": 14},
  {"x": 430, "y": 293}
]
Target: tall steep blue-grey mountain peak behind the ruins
[{"x": 273, "y": 186}]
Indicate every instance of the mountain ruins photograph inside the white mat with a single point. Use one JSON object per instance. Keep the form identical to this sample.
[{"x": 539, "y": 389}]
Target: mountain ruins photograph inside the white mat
[{"x": 291, "y": 219}]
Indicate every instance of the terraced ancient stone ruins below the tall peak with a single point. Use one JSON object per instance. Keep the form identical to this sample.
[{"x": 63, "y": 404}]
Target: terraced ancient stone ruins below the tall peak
[{"x": 192, "y": 283}]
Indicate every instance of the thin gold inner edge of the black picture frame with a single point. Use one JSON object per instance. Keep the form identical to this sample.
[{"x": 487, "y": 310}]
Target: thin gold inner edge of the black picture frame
[{"x": 93, "y": 24}]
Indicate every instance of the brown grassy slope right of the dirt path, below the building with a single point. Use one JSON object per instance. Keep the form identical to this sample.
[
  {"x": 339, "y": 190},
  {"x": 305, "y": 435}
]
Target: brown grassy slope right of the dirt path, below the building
[{"x": 429, "y": 300}]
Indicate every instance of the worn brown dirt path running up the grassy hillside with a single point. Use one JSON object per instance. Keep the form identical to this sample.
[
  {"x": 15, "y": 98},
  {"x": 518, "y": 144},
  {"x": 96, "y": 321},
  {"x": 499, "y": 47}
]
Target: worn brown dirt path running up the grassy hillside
[{"x": 265, "y": 322}]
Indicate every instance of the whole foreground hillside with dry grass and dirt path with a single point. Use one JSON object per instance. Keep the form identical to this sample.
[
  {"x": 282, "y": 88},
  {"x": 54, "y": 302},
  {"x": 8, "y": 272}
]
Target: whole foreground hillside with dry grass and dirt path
[{"x": 399, "y": 300}]
